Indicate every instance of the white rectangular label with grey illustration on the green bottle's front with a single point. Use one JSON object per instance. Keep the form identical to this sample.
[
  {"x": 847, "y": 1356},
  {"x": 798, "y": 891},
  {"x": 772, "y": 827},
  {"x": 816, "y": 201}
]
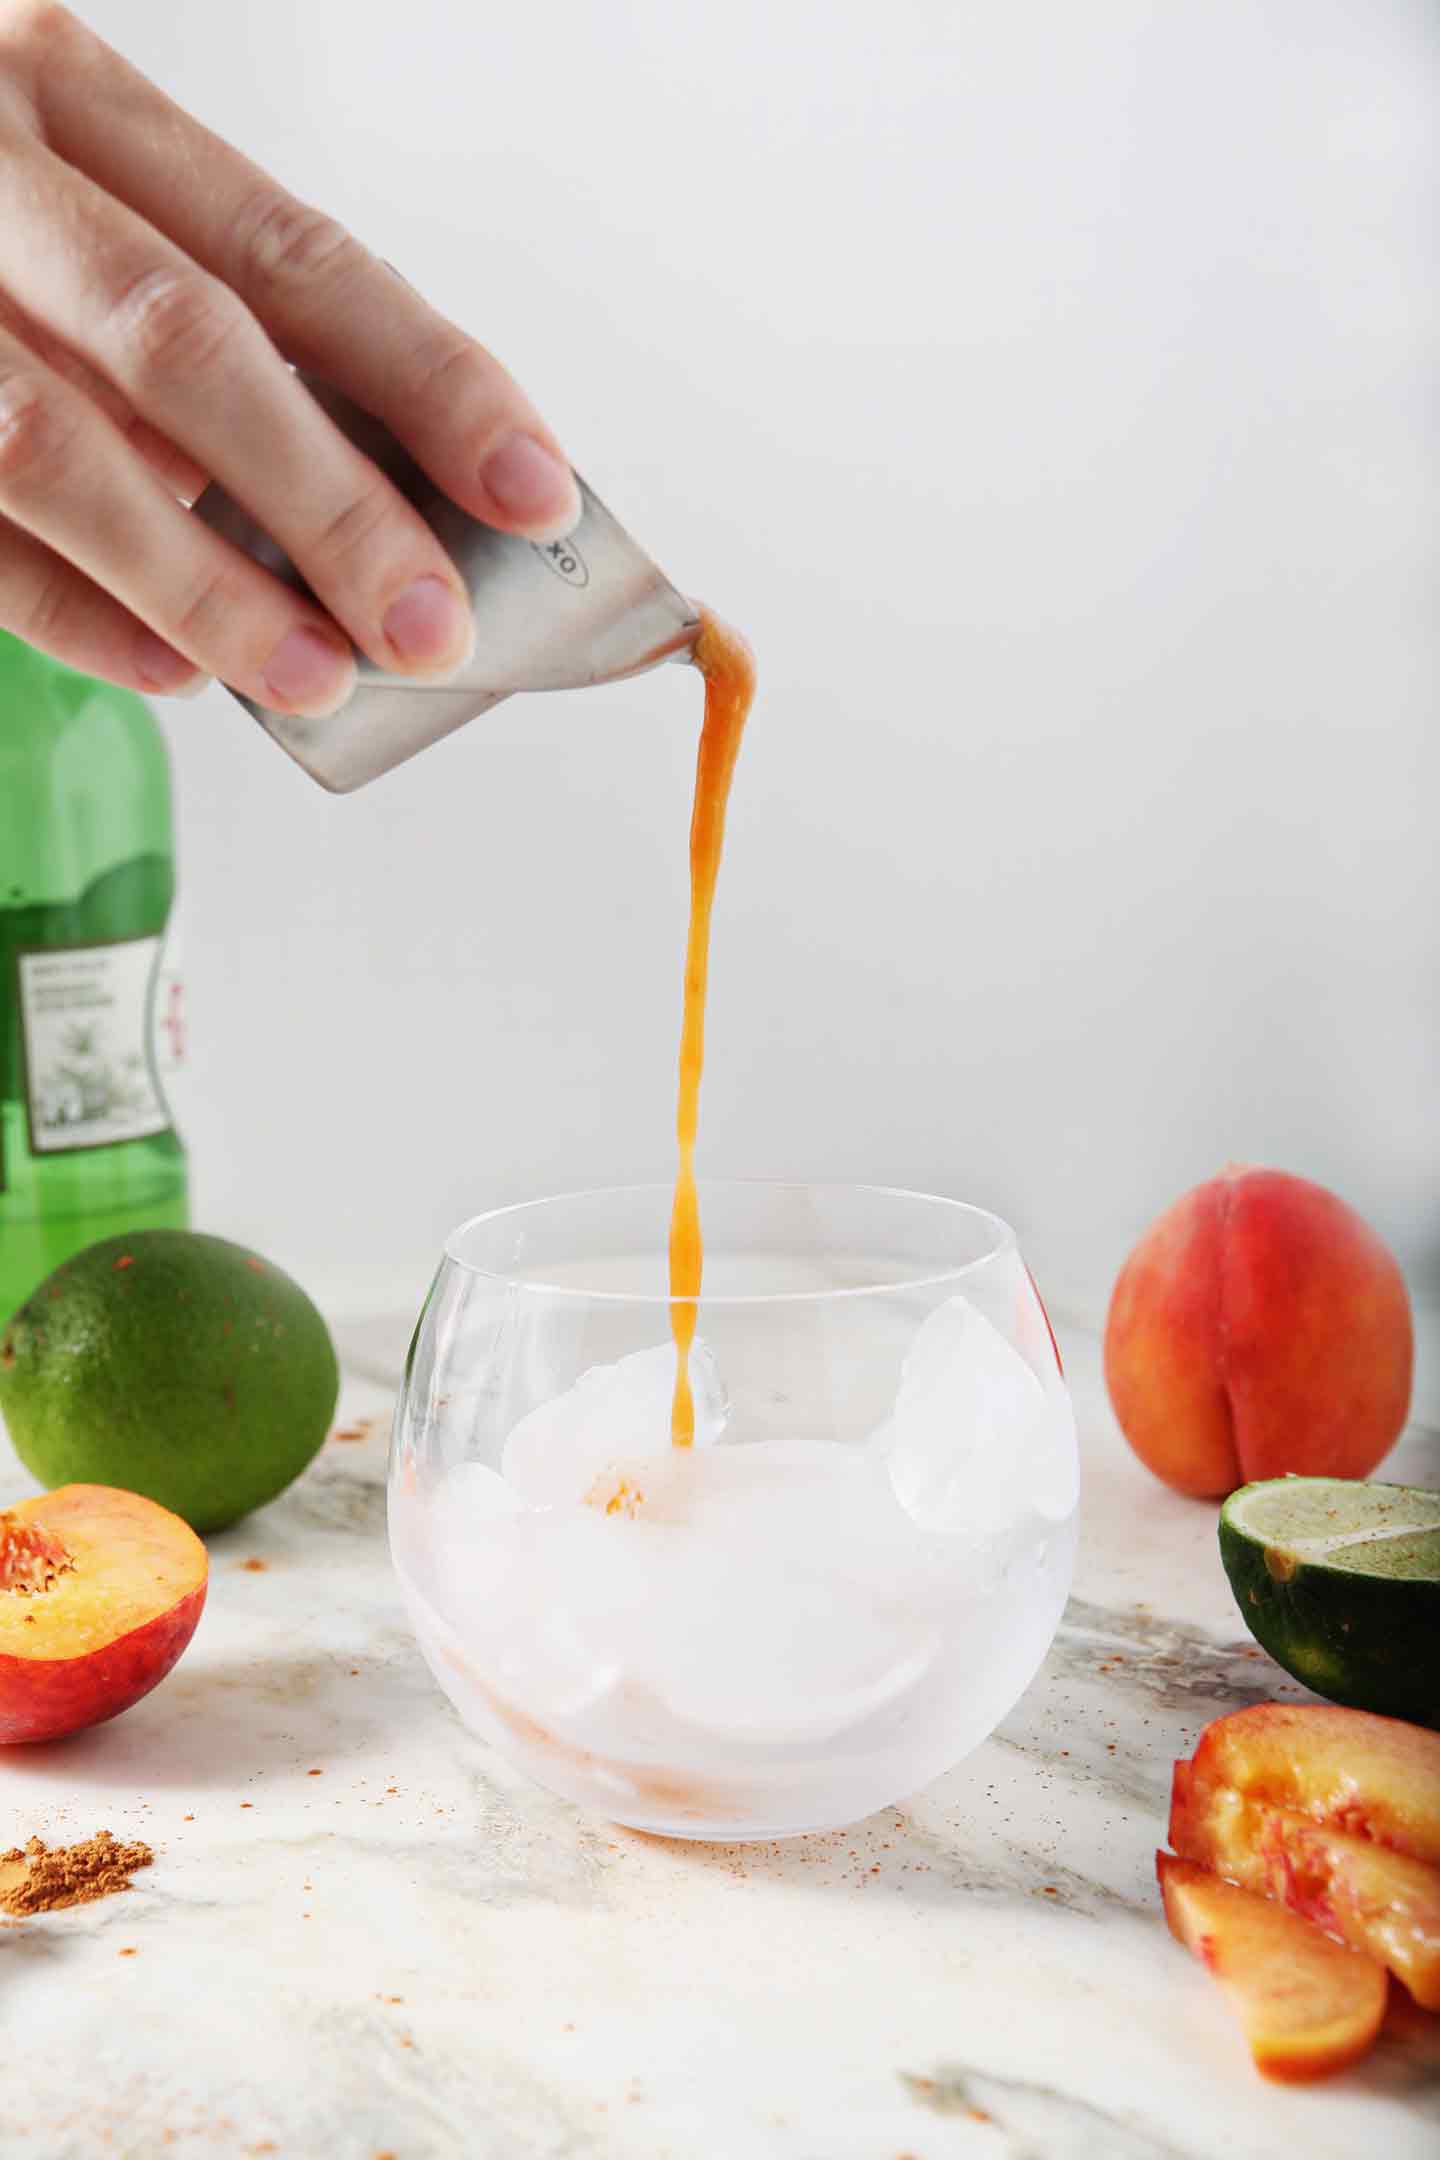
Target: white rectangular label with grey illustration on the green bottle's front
[{"x": 90, "y": 1044}]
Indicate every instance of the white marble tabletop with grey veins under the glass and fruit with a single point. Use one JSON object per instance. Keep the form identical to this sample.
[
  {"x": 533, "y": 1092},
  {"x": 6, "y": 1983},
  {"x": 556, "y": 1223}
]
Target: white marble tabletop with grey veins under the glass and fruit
[{"x": 364, "y": 1936}]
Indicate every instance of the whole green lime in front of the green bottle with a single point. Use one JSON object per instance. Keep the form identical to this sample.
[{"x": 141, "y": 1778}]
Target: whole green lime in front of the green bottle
[{"x": 169, "y": 1364}]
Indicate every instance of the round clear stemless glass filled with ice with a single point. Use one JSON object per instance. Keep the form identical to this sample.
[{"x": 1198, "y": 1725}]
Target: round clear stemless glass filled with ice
[{"x": 826, "y": 1602}]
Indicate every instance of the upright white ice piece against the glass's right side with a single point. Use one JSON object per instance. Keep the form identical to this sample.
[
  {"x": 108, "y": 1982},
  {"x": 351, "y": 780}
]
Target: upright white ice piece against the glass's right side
[{"x": 977, "y": 1442}]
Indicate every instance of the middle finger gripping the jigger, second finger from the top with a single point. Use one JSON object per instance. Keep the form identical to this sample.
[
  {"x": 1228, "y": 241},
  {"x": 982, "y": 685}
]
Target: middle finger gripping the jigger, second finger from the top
[{"x": 195, "y": 364}]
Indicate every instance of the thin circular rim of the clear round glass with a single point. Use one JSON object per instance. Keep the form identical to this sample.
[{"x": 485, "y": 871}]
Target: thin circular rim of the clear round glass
[{"x": 1003, "y": 1241}]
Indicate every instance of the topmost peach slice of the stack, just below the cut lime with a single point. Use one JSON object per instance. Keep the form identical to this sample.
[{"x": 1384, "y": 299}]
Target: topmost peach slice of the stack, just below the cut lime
[{"x": 1372, "y": 1777}]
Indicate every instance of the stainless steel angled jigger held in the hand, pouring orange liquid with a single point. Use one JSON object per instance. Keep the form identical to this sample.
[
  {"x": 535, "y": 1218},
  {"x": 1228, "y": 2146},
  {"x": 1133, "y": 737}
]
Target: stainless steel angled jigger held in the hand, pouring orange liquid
[{"x": 547, "y": 617}]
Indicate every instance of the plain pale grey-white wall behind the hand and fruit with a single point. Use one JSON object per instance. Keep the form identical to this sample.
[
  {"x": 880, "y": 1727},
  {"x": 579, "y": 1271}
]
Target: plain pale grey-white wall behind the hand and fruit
[{"x": 1044, "y": 388}]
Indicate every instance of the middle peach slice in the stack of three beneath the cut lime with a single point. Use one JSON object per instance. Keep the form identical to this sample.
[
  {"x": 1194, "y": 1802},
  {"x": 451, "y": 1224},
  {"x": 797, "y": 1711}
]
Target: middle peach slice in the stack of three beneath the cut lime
[{"x": 1374, "y": 1900}]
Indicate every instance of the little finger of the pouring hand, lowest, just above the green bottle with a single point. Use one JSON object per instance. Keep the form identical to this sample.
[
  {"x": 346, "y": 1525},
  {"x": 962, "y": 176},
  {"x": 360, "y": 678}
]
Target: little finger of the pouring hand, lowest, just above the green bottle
[{"x": 59, "y": 610}]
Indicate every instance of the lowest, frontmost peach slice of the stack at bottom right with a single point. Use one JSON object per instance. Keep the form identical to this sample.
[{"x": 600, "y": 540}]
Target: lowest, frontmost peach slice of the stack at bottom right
[{"x": 1307, "y": 2006}]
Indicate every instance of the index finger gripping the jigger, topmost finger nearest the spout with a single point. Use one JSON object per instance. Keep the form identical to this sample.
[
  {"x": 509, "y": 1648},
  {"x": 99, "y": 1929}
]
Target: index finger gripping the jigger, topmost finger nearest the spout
[{"x": 323, "y": 299}]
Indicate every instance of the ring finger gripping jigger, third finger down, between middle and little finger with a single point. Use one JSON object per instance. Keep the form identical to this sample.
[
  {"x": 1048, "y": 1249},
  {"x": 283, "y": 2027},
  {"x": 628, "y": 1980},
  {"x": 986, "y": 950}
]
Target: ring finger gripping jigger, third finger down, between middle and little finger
[{"x": 70, "y": 481}]
